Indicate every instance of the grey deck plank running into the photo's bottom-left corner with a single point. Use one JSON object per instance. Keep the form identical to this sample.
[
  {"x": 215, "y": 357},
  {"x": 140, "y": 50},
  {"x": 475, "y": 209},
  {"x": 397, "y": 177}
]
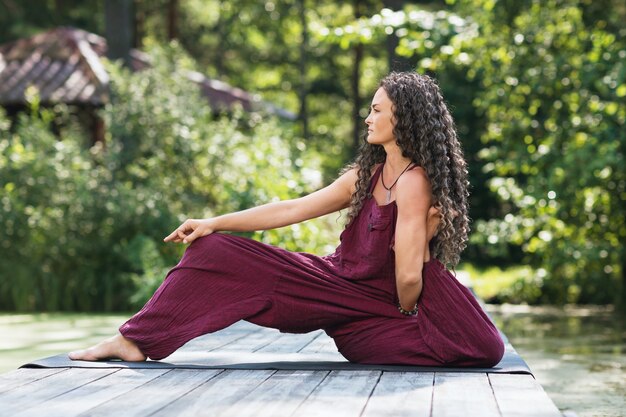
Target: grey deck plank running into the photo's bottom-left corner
[{"x": 35, "y": 393}]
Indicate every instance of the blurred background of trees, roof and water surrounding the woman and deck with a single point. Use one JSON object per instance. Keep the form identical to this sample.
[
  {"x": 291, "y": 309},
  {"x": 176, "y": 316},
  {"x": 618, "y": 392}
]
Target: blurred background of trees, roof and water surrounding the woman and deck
[{"x": 121, "y": 118}]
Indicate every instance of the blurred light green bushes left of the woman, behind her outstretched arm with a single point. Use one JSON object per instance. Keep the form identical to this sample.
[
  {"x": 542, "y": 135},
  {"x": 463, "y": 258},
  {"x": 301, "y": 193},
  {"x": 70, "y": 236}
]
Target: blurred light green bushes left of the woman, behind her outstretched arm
[{"x": 84, "y": 228}]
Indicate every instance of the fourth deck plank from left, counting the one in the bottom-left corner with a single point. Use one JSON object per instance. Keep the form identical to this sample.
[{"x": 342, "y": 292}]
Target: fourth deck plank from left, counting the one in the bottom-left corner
[{"x": 217, "y": 395}]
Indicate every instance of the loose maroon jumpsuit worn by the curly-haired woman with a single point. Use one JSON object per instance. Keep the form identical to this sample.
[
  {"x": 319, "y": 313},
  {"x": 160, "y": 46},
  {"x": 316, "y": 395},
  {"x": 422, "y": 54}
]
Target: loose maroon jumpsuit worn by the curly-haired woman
[{"x": 351, "y": 294}]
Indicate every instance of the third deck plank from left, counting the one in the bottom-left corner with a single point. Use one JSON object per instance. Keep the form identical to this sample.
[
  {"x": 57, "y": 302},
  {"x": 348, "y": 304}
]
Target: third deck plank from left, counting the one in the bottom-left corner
[{"x": 155, "y": 394}]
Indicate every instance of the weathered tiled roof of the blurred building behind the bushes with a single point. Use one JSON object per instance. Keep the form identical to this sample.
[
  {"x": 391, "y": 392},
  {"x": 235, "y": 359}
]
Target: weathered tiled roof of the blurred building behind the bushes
[{"x": 64, "y": 64}]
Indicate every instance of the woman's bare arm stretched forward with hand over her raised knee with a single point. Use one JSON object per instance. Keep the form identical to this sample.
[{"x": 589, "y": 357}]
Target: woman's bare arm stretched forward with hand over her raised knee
[{"x": 334, "y": 197}]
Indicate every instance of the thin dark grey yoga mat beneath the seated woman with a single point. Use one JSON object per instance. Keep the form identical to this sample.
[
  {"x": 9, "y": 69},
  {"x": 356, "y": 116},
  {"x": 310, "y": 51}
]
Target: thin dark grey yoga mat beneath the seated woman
[{"x": 511, "y": 363}]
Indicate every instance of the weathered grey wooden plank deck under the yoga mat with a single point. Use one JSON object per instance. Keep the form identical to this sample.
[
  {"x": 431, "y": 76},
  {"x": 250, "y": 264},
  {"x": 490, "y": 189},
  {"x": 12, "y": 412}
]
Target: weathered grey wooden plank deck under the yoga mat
[{"x": 233, "y": 392}]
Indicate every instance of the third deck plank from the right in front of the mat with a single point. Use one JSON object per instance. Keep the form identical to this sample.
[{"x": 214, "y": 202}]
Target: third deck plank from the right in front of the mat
[{"x": 401, "y": 393}]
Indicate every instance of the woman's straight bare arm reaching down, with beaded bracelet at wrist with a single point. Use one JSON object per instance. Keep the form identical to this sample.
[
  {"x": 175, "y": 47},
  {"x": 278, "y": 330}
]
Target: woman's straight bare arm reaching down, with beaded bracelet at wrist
[{"x": 412, "y": 233}]
